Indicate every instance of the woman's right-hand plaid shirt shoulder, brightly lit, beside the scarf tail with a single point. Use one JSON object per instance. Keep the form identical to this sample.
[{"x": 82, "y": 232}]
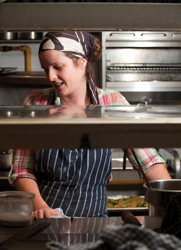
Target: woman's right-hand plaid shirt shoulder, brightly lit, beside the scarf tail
[{"x": 111, "y": 97}]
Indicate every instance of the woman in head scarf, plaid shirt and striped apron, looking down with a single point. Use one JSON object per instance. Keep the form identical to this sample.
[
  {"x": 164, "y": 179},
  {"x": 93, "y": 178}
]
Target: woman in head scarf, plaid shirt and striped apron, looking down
[{"x": 71, "y": 179}]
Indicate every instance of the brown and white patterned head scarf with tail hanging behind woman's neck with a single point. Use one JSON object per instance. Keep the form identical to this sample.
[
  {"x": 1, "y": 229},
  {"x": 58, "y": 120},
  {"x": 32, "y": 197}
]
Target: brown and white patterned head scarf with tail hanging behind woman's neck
[{"x": 77, "y": 43}]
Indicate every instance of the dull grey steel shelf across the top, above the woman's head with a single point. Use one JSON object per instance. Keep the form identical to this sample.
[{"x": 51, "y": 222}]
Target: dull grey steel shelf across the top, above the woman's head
[{"x": 89, "y": 16}]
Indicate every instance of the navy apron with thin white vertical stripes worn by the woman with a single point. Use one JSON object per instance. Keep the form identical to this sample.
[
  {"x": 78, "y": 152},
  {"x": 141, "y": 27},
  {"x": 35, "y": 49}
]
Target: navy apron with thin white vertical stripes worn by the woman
[{"x": 75, "y": 180}]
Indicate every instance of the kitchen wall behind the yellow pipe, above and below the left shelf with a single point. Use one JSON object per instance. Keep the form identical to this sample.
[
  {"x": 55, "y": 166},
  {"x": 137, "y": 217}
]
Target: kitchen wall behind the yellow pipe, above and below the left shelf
[{"x": 13, "y": 94}]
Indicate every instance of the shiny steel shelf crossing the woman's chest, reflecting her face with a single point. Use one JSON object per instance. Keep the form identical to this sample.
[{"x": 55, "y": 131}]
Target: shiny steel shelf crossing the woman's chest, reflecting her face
[{"x": 98, "y": 127}]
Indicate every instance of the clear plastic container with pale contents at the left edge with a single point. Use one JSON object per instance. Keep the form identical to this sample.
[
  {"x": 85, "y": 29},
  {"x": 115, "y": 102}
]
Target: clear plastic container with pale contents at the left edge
[{"x": 16, "y": 208}]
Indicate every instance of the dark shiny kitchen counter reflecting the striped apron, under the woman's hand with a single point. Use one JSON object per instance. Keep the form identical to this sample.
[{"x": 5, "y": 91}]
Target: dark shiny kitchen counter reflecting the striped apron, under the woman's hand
[{"x": 67, "y": 231}]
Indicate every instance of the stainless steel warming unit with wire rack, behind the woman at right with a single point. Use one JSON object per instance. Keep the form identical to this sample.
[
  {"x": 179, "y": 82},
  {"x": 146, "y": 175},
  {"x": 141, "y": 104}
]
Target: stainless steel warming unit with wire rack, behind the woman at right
[{"x": 143, "y": 63}]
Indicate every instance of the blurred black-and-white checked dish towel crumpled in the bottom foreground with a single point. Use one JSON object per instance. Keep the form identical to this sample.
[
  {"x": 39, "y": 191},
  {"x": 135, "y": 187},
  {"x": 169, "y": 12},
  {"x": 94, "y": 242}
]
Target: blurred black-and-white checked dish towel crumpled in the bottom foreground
[{"x": 124, "y": 237}]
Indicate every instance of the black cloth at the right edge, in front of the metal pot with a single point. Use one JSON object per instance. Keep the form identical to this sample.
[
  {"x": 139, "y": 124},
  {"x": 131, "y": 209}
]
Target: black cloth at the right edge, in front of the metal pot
[{"x": 171, "y": 223}]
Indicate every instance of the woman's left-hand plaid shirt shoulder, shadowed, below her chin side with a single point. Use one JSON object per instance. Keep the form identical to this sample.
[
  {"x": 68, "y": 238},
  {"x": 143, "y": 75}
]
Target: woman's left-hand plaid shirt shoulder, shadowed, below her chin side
[{"x": 40, "y": 97}]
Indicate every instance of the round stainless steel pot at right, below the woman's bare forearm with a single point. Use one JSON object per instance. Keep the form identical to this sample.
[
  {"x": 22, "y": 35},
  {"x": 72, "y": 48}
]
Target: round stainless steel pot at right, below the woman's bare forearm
[{"x": 160, "y": 193}]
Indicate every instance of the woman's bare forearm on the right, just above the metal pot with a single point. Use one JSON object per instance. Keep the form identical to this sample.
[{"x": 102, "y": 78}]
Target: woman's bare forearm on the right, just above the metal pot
[{"x": 157, "y": 172}]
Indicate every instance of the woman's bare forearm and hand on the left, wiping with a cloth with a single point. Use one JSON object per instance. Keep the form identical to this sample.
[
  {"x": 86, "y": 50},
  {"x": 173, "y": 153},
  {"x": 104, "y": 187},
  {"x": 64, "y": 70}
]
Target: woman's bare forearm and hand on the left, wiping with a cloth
[{"x": 41, "y": 209}]
